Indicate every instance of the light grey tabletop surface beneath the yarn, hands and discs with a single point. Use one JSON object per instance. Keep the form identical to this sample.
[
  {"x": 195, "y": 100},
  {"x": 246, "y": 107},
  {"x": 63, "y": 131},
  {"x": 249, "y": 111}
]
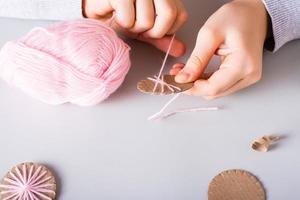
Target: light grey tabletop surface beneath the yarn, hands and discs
[{"x": 112, "y": 152}]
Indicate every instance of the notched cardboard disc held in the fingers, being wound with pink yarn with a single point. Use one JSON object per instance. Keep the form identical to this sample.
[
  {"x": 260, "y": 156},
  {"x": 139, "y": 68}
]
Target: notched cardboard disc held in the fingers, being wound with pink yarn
[{"x": 147, "y": 86}]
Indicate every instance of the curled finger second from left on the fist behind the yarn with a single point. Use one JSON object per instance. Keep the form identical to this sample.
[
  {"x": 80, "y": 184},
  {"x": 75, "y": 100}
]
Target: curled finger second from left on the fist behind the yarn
[{"x": 125, "y": 13}]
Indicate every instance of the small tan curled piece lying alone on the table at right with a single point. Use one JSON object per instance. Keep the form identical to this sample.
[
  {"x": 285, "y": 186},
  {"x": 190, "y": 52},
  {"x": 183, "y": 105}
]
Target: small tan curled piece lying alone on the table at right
[{"x": 264, "y": 143}]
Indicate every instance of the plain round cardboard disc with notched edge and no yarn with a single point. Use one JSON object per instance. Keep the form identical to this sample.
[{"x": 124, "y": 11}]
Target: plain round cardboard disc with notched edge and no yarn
[{"x": 236, "y": 185}]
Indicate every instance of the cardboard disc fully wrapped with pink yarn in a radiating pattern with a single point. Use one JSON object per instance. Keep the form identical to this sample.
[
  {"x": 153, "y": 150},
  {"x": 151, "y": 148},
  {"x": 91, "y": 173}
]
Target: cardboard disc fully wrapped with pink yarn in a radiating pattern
[{"x": 28, "y": 181}]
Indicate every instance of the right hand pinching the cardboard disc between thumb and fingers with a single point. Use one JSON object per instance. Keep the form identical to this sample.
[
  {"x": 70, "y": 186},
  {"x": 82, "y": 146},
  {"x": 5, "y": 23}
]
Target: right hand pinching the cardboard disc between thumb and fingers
[{"x": 236, "y": 32}]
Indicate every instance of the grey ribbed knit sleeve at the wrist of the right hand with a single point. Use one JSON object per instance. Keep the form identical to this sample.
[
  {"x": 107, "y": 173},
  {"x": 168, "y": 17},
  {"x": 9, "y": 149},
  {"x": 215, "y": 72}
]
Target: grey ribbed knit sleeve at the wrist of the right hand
[{"x": 285, "y": 19}]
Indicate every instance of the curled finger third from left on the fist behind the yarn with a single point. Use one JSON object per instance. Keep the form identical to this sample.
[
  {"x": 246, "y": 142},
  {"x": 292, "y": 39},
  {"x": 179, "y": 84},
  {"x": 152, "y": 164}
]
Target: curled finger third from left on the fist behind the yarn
[{"x": 145, "y": 16}]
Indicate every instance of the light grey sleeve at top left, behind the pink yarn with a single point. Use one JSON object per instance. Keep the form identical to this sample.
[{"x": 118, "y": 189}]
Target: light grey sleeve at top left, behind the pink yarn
[{"x": 41, "y": 9}]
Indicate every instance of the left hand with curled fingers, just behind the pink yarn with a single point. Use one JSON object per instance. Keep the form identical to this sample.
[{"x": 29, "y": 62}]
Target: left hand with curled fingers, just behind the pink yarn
[{"x": 146, "y": 20}]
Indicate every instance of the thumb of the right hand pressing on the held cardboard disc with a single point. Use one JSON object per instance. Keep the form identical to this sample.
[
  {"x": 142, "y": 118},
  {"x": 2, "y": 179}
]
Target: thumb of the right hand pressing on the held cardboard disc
[{"x": 206, "y": 45}]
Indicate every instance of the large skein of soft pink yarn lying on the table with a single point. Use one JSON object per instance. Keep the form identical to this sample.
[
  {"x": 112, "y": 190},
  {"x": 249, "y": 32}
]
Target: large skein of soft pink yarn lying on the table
[{"x": 80, "y": 62}]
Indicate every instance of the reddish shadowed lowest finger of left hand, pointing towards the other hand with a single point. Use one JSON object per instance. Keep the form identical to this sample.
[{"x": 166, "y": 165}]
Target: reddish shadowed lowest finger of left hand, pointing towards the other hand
[{"x": 178, "y": 47}]
